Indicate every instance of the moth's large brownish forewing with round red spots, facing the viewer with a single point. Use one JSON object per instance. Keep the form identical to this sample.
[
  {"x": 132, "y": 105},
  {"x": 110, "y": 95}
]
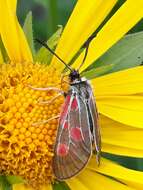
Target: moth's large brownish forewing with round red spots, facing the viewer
[{"x": 73, "y": 146}]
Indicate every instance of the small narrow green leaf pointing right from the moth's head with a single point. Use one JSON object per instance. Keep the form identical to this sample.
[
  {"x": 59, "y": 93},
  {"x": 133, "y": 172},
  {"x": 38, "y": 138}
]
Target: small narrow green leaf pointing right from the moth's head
[{"x": 96, "y": 72}]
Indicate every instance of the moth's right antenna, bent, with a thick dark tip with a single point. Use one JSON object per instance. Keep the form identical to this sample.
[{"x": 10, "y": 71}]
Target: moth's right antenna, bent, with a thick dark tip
[{"x": 86, "y": 45}]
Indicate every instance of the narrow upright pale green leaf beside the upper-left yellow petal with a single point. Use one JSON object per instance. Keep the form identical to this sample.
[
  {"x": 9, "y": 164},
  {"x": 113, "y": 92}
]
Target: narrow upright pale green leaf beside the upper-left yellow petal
[{"x": 27, "y": 27}]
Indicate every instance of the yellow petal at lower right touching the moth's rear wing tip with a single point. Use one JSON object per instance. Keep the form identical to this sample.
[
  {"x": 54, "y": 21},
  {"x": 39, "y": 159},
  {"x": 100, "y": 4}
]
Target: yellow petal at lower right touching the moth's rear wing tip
[{"x": 121, "y": 173}]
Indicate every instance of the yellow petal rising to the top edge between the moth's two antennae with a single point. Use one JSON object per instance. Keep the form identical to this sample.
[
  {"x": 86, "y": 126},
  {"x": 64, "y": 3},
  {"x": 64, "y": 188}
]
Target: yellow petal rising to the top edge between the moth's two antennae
[{"x": 84, "y": 20}]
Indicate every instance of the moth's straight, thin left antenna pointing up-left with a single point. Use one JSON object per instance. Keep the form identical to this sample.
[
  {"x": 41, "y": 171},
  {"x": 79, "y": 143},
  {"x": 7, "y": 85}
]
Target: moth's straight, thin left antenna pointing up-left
[{"x": 52, "y": 52}]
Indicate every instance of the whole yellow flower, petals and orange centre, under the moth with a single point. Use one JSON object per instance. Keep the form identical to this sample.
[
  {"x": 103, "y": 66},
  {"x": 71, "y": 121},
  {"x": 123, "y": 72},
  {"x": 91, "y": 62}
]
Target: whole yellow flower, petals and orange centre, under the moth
[{"x": 26, "y": 143}]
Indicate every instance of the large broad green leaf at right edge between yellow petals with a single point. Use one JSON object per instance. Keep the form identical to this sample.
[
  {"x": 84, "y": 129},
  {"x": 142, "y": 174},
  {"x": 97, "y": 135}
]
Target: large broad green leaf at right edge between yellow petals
[{"x": 127, "y": 53}]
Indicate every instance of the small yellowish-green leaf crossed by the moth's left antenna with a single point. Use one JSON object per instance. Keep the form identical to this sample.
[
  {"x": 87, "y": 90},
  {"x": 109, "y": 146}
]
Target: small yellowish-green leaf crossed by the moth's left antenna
[{"x": 43, "y": 55}]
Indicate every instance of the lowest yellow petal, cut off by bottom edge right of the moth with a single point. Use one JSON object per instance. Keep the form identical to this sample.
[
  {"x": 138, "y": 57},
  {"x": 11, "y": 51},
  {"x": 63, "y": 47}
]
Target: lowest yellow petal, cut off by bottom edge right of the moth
[{"x": 94, "y": 180}]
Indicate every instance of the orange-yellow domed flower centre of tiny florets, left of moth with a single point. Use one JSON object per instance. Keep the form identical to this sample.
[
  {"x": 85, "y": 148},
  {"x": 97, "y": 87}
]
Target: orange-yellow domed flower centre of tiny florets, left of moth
[{"x": 26, "y": 137}]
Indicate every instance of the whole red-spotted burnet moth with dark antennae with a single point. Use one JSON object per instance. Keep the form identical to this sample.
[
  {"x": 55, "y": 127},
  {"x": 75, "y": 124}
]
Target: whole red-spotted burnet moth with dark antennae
[{"x": 78, "y": 133}]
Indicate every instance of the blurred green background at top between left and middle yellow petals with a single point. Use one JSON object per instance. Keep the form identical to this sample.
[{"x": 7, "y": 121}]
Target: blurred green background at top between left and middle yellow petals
[{"x": 47, "y": 14}]
